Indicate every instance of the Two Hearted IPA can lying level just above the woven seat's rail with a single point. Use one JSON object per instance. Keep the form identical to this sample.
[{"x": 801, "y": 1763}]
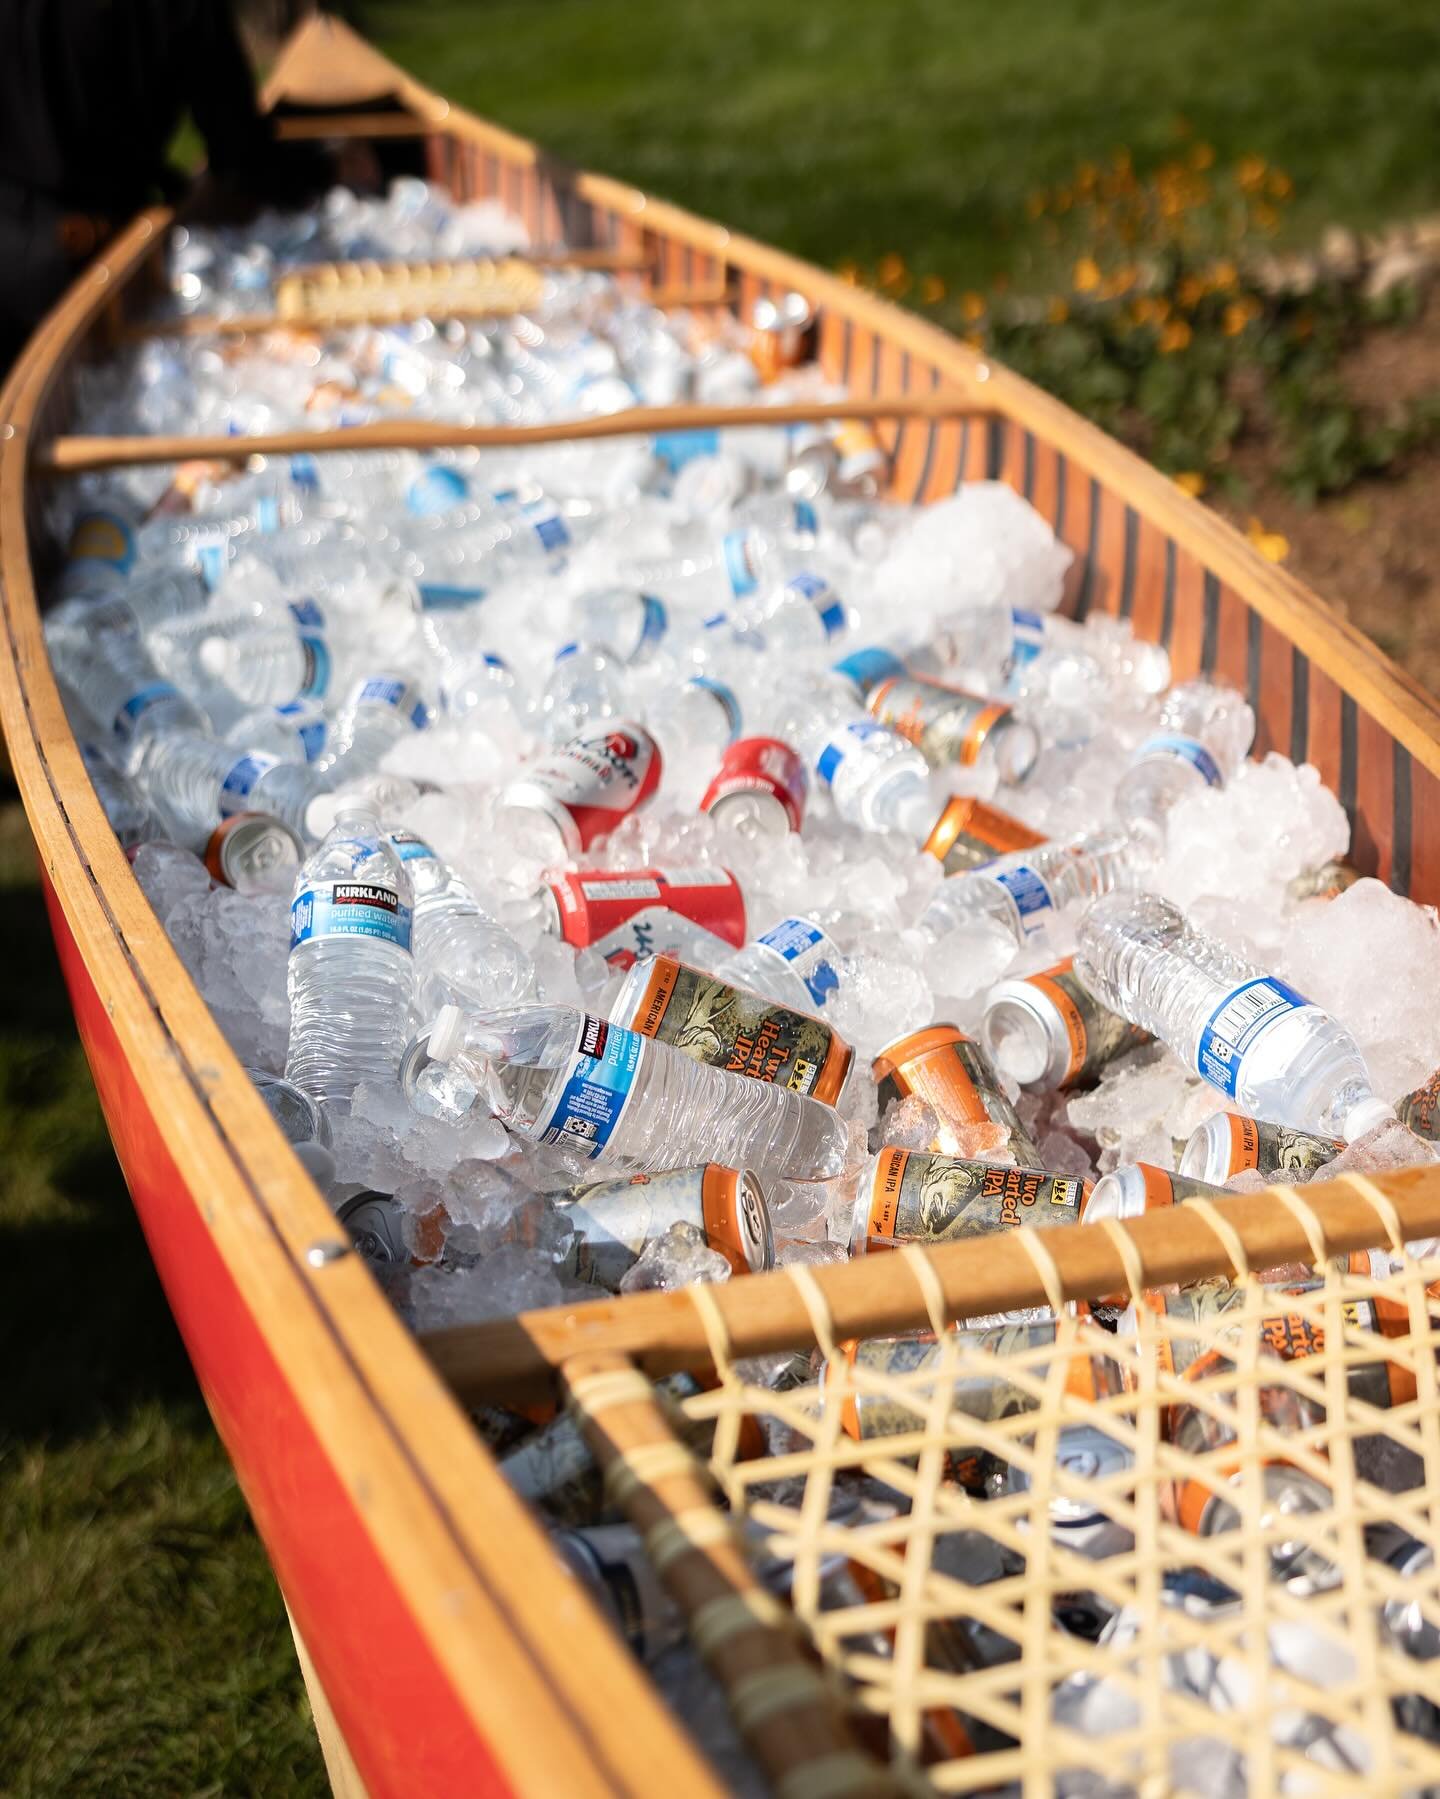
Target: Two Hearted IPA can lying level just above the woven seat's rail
[{"x": 908, "y": 1197}]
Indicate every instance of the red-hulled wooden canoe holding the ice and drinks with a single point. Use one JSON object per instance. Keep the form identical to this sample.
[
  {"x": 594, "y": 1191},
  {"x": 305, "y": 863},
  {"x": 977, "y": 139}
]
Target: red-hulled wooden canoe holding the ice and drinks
[{"x": 445, "y": 1647}]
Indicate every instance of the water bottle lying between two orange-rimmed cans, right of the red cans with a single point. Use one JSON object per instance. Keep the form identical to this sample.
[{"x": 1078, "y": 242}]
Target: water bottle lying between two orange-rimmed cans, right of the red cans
[{"x": 1018, "y": 900}]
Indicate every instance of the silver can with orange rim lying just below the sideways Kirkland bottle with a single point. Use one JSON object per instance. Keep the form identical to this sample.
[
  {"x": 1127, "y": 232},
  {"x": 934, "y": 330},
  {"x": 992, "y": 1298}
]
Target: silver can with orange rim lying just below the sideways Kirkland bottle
[{"x": 615, "y": 1221}]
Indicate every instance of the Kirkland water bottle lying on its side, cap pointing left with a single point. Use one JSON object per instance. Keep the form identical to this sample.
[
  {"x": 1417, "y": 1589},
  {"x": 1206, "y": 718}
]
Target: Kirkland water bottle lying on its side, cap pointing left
[{"x": 562, "y": 1077}]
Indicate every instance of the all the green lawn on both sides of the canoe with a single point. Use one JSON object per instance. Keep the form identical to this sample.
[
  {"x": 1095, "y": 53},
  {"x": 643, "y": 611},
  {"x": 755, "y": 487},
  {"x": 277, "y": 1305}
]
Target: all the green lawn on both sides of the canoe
[{"x": 145, "y": 1642}]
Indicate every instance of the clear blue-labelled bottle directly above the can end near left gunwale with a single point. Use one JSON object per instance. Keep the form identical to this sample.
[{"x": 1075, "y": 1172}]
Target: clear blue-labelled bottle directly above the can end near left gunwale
[{"x": 195, "y": 783}]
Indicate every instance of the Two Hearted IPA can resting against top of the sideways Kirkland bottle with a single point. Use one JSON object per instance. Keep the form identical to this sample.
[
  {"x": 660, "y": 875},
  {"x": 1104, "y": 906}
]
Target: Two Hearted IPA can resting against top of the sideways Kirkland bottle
[{"x": 733, "y": 1030}]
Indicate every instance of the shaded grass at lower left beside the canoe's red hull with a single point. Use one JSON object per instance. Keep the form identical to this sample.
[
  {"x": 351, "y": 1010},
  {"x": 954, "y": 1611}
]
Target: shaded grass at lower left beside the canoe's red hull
[{"x": 141, "y": 1633}]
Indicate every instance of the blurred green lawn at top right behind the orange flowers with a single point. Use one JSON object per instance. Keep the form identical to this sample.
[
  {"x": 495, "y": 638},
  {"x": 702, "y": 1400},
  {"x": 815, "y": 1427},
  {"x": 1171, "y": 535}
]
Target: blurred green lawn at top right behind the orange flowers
[{"x": 847, "y": 130}]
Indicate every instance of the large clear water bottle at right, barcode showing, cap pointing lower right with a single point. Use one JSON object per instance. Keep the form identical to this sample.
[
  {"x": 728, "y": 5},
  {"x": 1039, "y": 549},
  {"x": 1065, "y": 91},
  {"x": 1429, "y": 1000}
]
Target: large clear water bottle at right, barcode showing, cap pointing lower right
[{"x": 1252, "y": 1035}]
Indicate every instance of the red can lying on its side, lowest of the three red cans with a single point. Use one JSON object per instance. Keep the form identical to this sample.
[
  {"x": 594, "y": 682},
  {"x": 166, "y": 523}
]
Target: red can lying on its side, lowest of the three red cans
[{"x": 634, "y": 913}]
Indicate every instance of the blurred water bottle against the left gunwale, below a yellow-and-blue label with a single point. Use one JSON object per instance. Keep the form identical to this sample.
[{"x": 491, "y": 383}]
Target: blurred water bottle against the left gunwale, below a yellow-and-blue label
[{"x": 116, "y": 681}]
